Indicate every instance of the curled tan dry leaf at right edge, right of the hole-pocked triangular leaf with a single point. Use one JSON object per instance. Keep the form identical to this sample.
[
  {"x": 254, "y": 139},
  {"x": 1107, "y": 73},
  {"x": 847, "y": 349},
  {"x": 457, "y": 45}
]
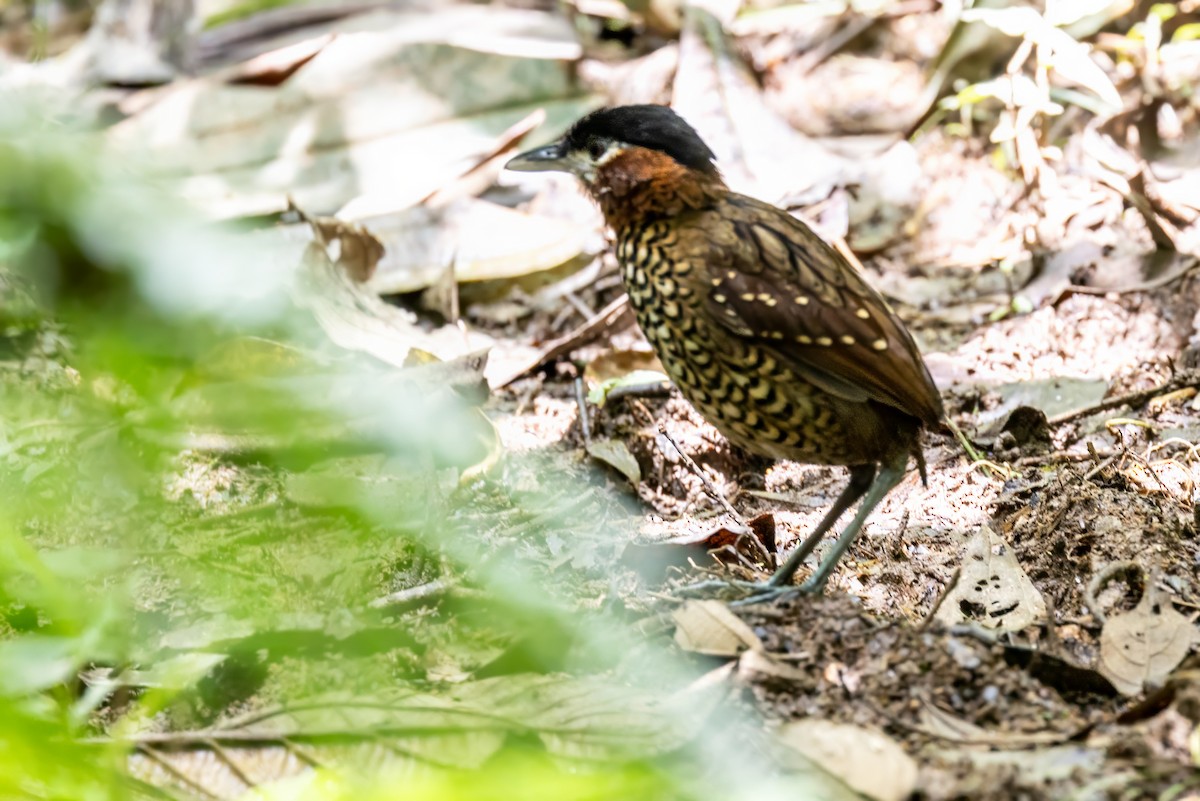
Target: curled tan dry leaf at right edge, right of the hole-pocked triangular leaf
[{"x": 1141, "y": 648}]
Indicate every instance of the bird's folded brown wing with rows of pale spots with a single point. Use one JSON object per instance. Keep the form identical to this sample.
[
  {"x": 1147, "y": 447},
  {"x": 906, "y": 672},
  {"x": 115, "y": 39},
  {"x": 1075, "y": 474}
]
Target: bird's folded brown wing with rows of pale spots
[{"x": 777, "y": 281}]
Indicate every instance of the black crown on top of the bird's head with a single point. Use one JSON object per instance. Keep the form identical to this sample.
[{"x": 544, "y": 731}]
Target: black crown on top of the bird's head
[{"x": 656, "y": 128}]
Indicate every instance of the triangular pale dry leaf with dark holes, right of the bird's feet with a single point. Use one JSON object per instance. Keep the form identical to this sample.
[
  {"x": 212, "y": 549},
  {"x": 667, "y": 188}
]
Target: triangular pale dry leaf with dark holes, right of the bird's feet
[{"x": 993, "y": 591}]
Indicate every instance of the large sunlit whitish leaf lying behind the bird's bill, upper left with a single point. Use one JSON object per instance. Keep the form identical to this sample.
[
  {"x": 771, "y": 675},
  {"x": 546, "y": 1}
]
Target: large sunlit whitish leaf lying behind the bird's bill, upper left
[{"x": 398, "y": 105}]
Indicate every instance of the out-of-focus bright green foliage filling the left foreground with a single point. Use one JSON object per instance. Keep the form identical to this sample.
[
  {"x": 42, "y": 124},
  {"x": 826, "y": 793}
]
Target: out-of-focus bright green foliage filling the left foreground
[{"x": 203, "y": 499}]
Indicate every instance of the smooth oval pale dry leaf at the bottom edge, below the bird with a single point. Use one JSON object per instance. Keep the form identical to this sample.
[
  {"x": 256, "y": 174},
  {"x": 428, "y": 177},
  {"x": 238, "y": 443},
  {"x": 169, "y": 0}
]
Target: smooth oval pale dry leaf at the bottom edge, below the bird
[{"x": 867, "y": 761}]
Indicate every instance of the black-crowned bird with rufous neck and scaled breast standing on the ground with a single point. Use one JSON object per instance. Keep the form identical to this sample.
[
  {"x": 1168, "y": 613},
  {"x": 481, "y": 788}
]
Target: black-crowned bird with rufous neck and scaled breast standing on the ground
[{"x": 765, "y": 328}]
